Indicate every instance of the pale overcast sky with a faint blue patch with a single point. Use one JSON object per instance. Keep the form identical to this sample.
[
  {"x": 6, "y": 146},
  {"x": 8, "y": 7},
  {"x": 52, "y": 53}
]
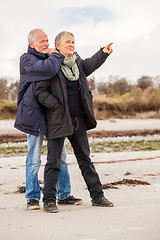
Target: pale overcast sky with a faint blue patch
[{"x": 132, "y": 26}]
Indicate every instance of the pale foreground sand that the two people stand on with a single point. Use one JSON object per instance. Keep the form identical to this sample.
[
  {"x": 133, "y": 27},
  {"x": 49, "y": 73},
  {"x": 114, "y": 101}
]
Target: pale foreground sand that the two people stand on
[{"x": 136, "y": 214}]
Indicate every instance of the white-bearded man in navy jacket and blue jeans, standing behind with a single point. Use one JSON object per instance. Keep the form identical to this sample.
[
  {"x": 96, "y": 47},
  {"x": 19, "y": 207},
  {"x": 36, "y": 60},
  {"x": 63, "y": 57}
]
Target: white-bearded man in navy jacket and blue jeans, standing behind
[{"x": 38, "y": 64}]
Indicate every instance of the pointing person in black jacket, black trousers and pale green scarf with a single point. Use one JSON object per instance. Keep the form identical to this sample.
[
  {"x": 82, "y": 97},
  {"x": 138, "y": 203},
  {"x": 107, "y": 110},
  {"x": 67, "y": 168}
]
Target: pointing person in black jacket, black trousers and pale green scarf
[{"x": 69, "y": 113}]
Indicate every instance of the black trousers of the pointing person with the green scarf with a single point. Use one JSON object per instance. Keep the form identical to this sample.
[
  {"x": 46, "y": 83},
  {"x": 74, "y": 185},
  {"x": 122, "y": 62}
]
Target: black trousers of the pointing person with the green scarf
[{"x": 79, "y": 142}]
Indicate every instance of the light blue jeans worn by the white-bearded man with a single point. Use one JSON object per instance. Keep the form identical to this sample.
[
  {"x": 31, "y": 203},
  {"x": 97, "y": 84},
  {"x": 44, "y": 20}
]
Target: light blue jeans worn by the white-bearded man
[{"x": 33, "y": 163}]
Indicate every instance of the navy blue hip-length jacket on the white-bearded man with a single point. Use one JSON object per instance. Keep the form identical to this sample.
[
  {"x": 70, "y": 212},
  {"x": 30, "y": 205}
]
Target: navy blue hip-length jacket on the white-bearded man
[{"x": 34, "y": 67}]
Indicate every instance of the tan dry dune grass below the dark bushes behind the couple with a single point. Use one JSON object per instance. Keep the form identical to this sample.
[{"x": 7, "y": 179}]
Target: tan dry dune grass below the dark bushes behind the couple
[{"x": 106, "y": 106}]
